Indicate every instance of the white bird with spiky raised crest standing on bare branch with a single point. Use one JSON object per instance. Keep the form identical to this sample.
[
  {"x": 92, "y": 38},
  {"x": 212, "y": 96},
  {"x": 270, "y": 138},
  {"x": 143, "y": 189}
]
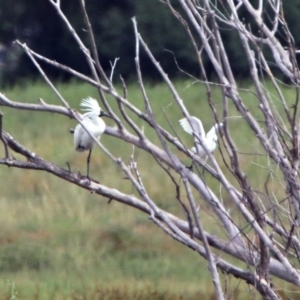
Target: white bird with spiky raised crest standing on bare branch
[{"x": 93, "y": 122}]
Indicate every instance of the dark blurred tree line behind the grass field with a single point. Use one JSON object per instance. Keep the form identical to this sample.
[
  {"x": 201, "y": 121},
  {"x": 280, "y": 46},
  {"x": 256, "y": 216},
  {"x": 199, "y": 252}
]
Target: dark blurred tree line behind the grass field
[{"x": 35, "y": 22}]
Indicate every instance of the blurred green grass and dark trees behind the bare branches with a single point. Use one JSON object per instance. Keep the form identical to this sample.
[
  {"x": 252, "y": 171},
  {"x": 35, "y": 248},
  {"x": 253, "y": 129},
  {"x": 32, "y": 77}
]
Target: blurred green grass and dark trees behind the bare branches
[{"x": 60, "y": 242}]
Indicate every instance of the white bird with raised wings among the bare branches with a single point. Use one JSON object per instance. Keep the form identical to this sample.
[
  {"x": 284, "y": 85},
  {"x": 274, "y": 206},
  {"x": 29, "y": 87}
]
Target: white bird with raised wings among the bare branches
[{"x": 194, "y": 127}]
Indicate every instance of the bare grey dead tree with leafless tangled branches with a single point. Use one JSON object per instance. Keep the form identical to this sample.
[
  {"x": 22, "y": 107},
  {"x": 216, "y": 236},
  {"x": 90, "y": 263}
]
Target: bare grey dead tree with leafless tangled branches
[{"x": 272, "y": 221}]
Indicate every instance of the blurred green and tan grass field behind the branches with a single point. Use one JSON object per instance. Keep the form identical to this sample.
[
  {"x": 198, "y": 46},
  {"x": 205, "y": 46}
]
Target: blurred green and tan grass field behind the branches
[{"x": 60, "y": 242}]
